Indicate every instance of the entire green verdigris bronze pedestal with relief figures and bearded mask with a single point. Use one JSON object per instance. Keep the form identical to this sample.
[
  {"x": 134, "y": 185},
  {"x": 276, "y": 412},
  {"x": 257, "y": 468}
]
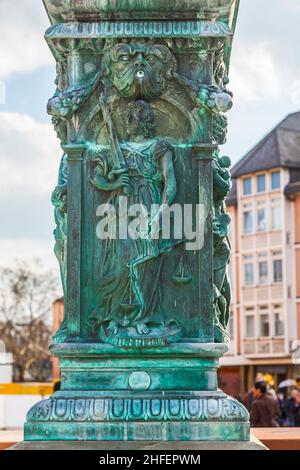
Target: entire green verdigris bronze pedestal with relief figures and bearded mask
[{"x": 141, "y": 225}]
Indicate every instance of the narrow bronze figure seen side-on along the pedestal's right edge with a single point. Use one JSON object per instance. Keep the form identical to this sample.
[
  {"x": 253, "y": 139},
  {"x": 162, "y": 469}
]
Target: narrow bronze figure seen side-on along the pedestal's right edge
[{"x": 222, "y": 292}]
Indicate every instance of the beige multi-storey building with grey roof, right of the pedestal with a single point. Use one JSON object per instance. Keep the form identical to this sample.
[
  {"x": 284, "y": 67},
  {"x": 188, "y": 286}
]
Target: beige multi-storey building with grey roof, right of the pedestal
[{"x": 265, "y": 270}]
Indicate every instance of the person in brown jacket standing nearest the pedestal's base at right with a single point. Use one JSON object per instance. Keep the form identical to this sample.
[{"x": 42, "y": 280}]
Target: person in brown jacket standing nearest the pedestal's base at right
[{"x": 264, "y": 410}]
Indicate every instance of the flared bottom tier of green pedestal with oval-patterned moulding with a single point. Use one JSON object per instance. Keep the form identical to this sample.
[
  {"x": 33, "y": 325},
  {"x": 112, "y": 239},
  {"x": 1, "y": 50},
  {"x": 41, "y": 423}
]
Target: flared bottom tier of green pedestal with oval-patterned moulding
[{"x": 191, "y": 416}]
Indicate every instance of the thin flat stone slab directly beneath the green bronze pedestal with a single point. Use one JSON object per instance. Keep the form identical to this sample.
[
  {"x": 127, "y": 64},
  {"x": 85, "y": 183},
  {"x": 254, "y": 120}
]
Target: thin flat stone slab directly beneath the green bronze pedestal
[{"x": 253, "y": 444}]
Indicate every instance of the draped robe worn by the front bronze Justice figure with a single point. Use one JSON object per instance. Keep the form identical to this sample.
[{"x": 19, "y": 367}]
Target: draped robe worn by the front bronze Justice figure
[{"x": 129, "y": 288}]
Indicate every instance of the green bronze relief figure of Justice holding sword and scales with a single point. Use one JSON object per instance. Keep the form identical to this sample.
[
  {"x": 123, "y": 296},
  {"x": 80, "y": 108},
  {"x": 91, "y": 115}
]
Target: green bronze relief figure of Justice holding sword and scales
[{"x": 127, "y": 307}]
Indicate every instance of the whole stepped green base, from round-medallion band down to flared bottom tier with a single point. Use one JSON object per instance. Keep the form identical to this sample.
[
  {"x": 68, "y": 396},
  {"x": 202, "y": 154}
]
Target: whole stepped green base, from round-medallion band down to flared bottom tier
[{"x": 154, "y": 395}]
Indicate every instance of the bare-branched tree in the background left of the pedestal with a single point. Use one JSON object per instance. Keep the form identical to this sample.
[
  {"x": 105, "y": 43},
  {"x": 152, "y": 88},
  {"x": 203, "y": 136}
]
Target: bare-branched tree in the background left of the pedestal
[{"x": 26, "y": 295}]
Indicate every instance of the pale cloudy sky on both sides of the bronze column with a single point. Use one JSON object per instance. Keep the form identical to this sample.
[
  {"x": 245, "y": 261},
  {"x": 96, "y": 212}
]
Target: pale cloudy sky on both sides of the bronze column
[{"x": 265, "y": 79}]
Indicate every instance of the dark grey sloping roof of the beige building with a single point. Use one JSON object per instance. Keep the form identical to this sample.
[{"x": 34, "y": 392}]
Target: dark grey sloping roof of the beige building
[{"x": 280, "y": 148}]
